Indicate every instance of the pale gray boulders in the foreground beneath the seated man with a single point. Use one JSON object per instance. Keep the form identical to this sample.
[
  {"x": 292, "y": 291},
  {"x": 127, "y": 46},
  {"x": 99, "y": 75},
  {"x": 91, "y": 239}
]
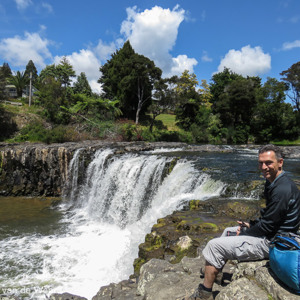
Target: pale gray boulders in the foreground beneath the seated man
[{"x": 162, "y": 280}]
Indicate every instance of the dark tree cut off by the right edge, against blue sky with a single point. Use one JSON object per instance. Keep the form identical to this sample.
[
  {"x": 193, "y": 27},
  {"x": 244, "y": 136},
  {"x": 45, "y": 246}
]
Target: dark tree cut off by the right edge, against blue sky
[{"x": 292, "y": 78}]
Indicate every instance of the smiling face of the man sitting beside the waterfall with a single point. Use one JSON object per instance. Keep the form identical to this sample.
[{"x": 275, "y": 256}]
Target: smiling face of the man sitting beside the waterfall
[{"x": 269, "y": 165}]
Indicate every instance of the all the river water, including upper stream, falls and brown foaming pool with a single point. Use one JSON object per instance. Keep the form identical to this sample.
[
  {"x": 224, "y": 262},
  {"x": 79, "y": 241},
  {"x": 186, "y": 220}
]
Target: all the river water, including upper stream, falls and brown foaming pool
[{"x": 92, "y": 238}]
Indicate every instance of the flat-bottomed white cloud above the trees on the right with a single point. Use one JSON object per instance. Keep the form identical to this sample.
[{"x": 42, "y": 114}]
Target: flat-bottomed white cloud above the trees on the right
[{"x": 247, "y": 61}]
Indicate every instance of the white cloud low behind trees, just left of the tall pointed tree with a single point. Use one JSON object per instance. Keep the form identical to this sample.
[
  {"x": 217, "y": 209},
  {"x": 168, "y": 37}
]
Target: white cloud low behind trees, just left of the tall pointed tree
[{"x": 87, "y": 62}]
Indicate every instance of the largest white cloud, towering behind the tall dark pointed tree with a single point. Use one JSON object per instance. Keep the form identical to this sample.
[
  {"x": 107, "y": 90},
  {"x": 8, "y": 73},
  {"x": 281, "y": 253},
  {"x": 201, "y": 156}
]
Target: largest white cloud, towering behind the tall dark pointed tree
[{"x": 153, "y": 33}]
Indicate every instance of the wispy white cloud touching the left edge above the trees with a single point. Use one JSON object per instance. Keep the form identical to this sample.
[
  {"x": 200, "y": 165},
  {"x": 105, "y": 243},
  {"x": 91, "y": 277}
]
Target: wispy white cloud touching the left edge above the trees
[{"x": 19, "y": 50}]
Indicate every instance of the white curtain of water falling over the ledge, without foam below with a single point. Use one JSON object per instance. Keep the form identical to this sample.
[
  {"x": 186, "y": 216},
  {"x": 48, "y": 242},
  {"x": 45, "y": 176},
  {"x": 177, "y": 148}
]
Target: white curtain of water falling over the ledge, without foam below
[{"x": 121, "y": 189}]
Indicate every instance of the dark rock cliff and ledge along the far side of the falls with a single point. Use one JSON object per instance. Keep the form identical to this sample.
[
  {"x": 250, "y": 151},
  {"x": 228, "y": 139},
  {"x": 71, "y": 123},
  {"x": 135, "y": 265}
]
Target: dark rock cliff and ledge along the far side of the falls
[{"x": 42, "y": 170}]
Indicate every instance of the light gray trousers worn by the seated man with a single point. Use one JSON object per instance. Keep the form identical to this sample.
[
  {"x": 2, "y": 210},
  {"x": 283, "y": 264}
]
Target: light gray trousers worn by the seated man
[{"x": 241, "y": 248}]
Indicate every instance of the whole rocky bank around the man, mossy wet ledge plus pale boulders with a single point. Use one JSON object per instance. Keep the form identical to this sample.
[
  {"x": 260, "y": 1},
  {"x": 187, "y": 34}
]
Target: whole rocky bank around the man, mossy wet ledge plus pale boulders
[{"x": 163, "y": 276}]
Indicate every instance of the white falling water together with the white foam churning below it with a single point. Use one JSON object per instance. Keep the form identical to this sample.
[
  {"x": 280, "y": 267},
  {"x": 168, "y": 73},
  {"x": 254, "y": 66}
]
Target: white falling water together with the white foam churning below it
[{"x": 121, "y": 199}]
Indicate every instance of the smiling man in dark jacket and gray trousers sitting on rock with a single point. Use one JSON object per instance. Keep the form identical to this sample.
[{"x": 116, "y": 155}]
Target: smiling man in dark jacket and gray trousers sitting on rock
[{"x": 251, "y": 241}]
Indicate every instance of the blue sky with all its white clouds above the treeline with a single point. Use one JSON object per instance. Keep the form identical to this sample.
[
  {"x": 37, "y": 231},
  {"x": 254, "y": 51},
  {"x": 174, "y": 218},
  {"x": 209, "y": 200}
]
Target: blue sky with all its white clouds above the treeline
[{"x": 251, "y": 37}]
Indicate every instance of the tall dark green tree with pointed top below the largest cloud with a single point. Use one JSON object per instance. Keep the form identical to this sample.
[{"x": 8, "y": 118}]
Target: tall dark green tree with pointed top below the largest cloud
[{"x": 129, "y": 77}]
